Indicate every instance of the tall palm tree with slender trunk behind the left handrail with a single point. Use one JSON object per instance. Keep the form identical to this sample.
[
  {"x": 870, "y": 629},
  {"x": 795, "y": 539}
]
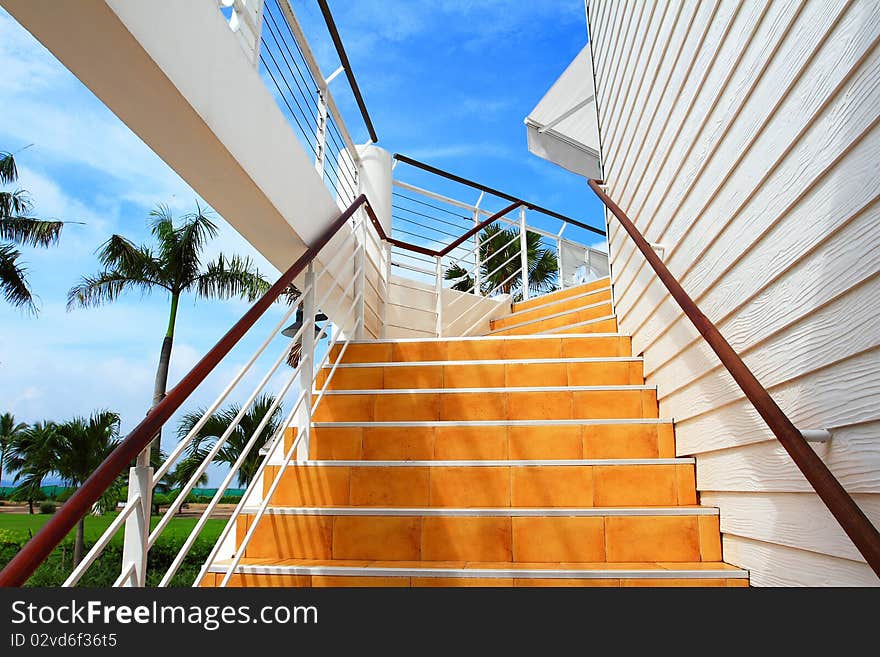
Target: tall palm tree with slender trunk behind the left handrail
[{"x": 174, "y": 265}]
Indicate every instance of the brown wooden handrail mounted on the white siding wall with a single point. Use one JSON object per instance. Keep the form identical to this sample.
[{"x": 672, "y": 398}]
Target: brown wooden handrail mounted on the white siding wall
[{"x": 842, "y": 506}]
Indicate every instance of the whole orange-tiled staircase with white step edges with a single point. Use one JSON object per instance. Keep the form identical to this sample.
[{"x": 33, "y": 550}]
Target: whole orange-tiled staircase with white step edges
[{"x": 532, "y": 456}]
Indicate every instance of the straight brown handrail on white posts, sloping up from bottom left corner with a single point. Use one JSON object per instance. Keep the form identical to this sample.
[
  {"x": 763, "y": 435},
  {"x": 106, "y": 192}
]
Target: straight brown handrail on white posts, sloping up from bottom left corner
[{"x": 23, "y": 564}]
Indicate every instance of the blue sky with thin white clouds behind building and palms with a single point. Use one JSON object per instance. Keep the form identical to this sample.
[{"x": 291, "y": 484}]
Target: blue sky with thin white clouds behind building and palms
[{"x": 446, "y": 81}]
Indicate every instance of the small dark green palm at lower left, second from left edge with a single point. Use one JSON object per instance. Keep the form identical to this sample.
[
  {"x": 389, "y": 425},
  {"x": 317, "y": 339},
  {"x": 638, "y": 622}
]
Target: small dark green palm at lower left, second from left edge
[{"x": 34, "y": 457}]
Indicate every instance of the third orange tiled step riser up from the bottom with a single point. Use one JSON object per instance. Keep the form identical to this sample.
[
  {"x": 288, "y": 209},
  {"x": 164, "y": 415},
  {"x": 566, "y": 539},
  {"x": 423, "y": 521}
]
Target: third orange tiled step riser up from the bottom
[{"x": 573, "y": 486}]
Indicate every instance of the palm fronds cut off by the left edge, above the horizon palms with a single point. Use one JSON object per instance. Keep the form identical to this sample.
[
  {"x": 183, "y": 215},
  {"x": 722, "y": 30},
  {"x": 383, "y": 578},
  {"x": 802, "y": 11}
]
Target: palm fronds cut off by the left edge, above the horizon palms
[{"x": 17, "y": 227}]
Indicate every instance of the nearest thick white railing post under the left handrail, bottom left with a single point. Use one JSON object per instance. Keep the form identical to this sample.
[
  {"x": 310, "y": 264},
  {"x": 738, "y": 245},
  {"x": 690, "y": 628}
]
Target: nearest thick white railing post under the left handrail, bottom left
[{"x": 137, "y": 525}]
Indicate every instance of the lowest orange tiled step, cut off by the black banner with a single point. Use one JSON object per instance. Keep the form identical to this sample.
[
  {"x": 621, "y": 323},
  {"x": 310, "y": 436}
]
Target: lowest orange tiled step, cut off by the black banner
[{"x": 320, "y": 573}]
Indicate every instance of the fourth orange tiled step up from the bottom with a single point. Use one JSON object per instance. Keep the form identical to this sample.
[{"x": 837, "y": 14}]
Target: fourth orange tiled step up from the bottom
[{"x": 499, "y": 439}]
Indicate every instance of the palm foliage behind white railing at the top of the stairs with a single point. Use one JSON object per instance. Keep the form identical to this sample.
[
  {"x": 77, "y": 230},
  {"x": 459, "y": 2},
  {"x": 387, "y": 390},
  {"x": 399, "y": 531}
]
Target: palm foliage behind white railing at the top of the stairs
[{"x": 500, "y": 250}]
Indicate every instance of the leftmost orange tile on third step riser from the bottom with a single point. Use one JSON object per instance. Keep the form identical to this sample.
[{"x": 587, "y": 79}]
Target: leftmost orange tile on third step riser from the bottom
[{"x": 309, "y": 485}]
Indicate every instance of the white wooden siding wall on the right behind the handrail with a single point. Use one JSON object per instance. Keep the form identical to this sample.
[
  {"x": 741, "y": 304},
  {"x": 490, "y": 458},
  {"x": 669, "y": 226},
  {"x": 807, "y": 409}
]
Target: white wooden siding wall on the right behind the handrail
[{"x": 744, "y": 137}]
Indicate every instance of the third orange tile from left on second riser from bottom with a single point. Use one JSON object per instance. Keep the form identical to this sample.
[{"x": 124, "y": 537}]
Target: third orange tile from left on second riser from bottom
[{"x": 467, "y": 538}]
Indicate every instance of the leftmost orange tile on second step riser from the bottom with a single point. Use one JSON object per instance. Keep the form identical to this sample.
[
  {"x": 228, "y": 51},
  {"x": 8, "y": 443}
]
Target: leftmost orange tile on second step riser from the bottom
[{"x": 290, "y": 537}]
